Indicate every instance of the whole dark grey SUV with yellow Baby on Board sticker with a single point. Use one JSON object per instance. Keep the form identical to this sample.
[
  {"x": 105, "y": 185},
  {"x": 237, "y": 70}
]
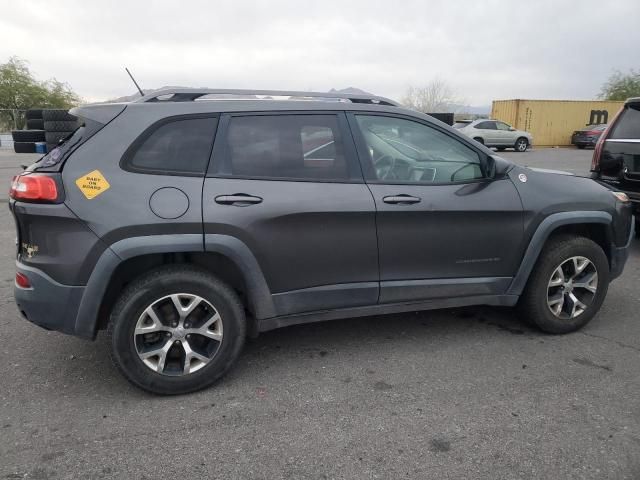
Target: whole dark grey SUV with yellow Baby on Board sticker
[{"x": 189, "y": 219}]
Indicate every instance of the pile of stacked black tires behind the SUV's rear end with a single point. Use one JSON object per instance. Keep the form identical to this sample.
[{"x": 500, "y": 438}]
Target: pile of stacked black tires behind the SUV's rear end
[{"x": 50, "y": 126}]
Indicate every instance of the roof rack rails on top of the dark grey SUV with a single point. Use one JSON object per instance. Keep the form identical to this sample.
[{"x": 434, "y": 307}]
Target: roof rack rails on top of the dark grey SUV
[{"x": 192, "y": 94}]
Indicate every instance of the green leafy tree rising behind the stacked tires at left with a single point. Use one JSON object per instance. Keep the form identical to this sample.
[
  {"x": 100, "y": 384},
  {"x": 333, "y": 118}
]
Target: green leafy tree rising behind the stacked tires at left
[{"x": 19, "y": 91}]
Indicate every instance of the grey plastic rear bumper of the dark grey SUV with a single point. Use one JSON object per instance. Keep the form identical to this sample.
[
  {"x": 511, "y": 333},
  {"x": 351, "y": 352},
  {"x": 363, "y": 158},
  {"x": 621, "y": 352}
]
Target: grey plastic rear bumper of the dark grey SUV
[{"x": 47, "y": 303}]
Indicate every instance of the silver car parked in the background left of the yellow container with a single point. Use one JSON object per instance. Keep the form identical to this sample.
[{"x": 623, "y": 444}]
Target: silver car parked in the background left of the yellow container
[{"x": 493, "y": 133}]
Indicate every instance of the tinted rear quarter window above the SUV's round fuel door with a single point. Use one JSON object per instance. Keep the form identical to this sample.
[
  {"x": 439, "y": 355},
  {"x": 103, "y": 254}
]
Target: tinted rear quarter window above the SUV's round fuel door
[{"x": 173, "y": 147}]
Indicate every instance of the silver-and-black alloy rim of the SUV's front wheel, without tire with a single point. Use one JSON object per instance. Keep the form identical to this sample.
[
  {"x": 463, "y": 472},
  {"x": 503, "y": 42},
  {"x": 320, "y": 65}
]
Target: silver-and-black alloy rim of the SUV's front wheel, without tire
[{"x": 572, "y": 287}]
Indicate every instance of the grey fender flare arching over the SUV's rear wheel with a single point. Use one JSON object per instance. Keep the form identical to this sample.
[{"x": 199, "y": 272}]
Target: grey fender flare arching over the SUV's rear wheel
[{"x": 258, "y": 293}]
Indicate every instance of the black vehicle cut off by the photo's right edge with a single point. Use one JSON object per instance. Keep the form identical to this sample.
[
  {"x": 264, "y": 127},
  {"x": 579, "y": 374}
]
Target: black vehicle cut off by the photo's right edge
[{"x": 616, "y": 159}]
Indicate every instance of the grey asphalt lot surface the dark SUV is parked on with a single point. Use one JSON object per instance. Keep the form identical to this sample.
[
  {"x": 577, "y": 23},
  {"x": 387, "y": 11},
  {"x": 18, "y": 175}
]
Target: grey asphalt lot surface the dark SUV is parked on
[{"x": 470, "y": 393}]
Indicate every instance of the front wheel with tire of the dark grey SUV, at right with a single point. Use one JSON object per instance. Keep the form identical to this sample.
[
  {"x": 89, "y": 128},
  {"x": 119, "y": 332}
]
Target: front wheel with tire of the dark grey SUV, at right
[{"x": 567, "y": 286}]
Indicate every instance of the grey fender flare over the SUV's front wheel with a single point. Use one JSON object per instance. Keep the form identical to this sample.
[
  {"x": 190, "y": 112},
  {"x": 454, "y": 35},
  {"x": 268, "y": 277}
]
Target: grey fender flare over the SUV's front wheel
[{"x": 539, "y": 238}]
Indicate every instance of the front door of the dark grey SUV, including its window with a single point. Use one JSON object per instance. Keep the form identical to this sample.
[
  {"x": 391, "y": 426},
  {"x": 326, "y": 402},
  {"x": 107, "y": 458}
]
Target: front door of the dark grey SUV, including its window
[{"x": 444, "y": 229}]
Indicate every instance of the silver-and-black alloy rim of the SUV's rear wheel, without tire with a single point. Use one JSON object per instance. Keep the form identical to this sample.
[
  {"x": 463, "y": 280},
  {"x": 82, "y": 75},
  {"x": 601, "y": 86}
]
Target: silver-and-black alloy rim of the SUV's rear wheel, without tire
[{"x": 178, "y": 334}]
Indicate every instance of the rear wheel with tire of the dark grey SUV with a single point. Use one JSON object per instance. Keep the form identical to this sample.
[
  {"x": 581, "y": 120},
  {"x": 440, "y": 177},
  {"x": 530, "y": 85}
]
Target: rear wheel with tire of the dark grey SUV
[{"x": 176, "y": 330}]
